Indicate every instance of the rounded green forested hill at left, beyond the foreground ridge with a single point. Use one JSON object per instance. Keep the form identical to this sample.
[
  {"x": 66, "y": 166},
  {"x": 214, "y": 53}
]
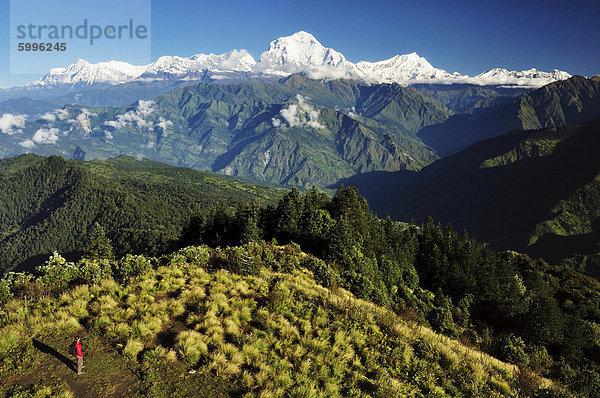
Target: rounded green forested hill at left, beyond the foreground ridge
[{"x": 51, "y": 204}]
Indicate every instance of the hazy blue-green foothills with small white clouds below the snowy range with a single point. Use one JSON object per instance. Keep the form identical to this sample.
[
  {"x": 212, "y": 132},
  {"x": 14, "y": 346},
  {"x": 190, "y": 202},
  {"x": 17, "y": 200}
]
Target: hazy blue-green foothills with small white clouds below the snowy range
[{"x": 298, "y": 131}]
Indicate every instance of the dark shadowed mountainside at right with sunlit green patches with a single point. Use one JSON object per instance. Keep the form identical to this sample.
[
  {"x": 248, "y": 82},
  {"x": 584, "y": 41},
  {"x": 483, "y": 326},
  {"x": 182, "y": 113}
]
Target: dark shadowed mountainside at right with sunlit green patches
[{"x": 535, "y": 191}]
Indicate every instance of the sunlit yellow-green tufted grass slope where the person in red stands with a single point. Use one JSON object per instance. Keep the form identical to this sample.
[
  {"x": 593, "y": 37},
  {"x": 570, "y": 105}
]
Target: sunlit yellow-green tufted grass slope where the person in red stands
[{"x": 268, "y": 331}]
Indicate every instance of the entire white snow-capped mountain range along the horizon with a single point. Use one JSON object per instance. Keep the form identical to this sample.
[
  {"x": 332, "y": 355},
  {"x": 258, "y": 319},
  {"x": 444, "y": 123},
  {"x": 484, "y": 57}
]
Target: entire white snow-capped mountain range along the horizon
[{"x": 298, "y": 53}]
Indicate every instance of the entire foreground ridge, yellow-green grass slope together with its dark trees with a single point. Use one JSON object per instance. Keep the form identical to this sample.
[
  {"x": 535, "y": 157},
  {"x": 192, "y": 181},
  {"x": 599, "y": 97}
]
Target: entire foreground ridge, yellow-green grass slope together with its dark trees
[{"x": 369, "y": 308}]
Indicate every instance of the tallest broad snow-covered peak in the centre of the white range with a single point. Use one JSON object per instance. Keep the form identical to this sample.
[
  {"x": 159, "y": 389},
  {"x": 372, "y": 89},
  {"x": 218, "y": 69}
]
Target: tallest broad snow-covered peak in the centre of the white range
[{"x": 297, "y": 52}]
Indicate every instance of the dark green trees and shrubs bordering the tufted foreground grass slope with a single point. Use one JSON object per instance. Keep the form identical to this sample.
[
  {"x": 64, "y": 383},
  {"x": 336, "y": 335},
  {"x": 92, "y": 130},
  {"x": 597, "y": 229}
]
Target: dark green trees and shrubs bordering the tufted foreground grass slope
[{"x": 524, "y": 311}]
